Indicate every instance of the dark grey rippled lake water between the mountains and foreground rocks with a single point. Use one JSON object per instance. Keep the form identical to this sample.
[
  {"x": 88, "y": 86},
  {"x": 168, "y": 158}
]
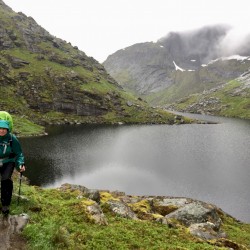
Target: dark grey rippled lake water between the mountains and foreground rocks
[{"x": 208, "y": 162}]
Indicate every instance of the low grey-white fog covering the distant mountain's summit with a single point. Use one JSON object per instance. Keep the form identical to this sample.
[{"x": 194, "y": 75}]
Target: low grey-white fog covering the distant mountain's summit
[{"x": 209, "y": 42}]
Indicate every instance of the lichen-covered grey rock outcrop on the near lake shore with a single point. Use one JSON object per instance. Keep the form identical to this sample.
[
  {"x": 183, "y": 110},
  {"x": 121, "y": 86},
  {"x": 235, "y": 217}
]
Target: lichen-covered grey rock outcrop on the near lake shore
[{"x": 203, "y": 220}]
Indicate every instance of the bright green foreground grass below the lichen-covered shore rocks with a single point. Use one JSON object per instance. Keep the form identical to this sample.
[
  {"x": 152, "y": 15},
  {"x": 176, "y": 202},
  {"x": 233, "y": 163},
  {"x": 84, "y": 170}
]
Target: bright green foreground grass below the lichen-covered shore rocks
[{"x": 58, "y": 221}]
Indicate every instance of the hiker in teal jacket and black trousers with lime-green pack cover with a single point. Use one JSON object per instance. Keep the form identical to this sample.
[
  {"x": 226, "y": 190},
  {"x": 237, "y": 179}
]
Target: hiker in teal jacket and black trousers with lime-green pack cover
[{"x": 11, "y": 157}]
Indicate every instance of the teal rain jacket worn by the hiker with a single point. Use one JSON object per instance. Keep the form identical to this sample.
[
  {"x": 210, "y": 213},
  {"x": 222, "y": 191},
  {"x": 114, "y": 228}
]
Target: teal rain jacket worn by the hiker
[{"x": 10, "y": 150}]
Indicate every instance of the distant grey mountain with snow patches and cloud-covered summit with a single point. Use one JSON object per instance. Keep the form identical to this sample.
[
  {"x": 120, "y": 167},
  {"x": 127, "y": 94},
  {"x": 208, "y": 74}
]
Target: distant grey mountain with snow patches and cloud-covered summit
[{"x": 180, "y": 64}]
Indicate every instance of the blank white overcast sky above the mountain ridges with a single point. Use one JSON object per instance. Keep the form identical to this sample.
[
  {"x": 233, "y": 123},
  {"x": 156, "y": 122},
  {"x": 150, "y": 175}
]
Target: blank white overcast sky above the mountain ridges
[{"x": 101, "y": 27}]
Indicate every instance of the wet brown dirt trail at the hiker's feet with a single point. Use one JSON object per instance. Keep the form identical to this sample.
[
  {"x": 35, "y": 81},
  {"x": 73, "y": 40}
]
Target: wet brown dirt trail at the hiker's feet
[{"x": 10, "y": 228}]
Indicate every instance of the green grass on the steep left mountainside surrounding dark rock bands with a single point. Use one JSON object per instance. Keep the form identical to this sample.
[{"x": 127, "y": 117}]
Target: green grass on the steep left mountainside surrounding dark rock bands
[{"x": 27, "y": 120}]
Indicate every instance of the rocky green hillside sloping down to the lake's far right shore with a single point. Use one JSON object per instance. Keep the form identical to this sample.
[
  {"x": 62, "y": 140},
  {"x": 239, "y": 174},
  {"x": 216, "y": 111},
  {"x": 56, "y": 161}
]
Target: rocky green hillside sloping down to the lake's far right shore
[{"x": 230, "y": 100}]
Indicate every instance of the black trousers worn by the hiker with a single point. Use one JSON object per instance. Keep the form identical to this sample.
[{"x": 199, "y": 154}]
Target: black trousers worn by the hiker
[{"x": 6, "y": 182}]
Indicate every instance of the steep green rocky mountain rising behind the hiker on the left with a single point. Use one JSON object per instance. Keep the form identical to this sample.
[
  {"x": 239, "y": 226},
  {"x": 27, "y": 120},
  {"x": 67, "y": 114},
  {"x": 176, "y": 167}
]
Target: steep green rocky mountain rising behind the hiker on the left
[{"x": 46, "y": 80}]
